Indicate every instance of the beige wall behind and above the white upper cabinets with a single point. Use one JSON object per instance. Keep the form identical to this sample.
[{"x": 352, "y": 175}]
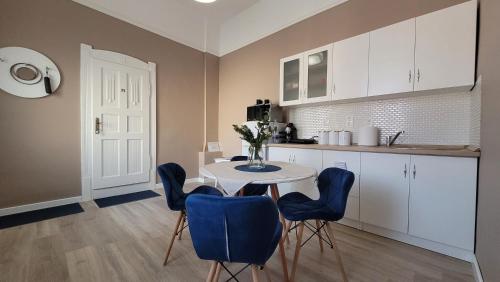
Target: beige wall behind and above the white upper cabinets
[{"x": 253, "y": 71}]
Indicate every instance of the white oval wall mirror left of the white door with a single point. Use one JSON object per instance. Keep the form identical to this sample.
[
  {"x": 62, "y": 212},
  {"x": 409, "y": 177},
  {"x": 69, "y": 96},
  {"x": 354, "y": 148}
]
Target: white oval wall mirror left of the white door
[{"x": 23, "y": 72}]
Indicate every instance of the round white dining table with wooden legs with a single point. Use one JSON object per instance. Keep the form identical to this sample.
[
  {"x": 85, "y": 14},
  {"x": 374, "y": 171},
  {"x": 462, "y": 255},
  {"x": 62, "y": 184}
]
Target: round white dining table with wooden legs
[{"x": 233, "y": 181}]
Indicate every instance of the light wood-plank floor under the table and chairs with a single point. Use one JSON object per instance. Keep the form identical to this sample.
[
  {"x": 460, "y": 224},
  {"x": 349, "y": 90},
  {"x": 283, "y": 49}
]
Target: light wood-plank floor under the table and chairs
[{"x": 128, "y": 242}]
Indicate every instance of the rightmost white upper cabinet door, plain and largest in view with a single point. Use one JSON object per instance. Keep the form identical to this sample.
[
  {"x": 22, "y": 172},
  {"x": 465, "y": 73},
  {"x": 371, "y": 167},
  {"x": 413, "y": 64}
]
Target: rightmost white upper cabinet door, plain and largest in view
[{"x": 445, "y": 48}]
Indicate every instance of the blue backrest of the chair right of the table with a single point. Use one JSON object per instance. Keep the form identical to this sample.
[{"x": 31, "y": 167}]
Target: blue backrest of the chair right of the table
[{"x": 334, "y": 185}]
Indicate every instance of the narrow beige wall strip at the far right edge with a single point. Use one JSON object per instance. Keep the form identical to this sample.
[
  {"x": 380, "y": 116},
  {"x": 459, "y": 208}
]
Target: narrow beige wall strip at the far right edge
[{"x": 488, "y": 212}]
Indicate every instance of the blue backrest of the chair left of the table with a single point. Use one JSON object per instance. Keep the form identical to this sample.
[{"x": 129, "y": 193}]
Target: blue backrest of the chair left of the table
[{"x": 172, "y": 176}]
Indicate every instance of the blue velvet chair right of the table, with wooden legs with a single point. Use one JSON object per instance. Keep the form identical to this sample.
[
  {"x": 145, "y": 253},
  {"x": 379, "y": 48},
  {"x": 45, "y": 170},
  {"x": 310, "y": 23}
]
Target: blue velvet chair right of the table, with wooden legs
[{"x": 334, "y": 185}]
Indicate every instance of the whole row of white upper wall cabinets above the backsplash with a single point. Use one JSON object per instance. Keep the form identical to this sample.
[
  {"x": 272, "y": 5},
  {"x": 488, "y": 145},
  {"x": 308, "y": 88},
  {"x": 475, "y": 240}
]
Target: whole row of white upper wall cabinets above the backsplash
[{"x": 432, "y": 52}]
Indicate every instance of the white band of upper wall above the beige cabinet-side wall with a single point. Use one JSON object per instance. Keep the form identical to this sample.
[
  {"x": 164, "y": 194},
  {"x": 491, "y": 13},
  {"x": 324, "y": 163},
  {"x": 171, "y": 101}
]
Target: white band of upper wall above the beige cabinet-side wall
[{"x": 229, "y": 41}]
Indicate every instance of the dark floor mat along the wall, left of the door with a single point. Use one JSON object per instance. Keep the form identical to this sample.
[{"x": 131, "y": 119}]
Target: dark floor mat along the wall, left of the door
[{"x": 38, "y": 215}]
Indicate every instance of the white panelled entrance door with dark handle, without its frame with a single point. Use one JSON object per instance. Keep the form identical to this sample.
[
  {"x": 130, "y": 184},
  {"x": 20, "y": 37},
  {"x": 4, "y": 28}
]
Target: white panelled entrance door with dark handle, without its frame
[{"x": 121, "y": 113}]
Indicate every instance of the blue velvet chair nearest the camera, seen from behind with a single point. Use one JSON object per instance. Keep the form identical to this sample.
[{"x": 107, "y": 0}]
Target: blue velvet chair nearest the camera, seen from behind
[{"x": 233, "y": 229}]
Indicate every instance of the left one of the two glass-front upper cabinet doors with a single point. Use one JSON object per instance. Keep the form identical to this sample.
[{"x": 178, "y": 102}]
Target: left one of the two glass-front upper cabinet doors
[{"x": 291, "y": 89}]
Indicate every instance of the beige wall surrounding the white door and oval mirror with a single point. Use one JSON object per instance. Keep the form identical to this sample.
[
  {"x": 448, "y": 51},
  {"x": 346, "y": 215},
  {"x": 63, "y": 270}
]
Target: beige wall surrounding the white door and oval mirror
[{"x": 40, "y": 138}]
